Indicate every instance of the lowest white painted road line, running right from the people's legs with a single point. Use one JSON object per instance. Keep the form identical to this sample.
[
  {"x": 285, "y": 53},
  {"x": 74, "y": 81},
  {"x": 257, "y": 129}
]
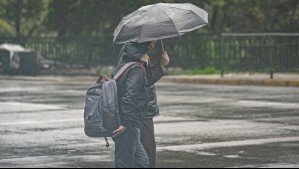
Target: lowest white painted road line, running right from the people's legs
[{"x": 249, "y": 142}]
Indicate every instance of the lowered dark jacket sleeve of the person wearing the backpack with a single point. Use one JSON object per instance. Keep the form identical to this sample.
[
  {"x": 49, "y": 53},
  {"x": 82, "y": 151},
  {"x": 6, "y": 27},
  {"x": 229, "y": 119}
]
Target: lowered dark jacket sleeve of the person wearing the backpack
[{"x": 134, "y": 87}]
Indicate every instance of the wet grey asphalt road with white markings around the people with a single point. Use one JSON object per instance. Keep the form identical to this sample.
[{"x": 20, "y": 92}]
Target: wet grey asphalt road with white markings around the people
[{"x": 41, "y": 125}]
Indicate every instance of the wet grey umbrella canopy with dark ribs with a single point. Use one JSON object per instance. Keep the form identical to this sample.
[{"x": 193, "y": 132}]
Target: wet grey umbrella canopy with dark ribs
[{"x": 159, "y": 21}]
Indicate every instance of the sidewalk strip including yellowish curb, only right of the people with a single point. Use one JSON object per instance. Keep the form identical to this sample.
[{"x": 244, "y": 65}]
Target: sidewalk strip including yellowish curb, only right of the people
[{"x": 280, "y": 79}]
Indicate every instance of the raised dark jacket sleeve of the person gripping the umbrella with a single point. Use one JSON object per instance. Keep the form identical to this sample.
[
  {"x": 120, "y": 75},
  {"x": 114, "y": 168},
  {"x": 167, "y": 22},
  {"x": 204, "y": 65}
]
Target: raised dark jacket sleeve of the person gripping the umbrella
[{"x": 157, "y": 72}]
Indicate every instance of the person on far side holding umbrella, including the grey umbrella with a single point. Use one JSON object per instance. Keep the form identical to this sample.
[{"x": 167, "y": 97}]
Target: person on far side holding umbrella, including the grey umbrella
[{"x": 145, "y": 26}]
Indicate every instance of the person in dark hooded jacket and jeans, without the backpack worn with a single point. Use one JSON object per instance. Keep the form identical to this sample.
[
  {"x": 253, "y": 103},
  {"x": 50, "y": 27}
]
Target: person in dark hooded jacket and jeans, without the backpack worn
[{"x": 132, "y": 97}]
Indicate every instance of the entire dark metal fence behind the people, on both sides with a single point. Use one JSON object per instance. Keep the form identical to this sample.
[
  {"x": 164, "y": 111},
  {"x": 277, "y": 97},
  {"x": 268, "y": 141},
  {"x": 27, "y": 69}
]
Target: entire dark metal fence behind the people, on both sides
[{"x": 270, "y": 52}]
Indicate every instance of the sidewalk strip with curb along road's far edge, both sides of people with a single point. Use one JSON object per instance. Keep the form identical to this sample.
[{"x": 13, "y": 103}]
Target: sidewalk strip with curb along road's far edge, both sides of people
[{"x": 279, "y": 79}]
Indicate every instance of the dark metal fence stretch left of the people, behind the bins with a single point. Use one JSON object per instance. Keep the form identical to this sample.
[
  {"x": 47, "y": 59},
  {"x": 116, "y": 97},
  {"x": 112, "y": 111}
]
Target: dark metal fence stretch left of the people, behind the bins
[{"x": 86, "y": 52}]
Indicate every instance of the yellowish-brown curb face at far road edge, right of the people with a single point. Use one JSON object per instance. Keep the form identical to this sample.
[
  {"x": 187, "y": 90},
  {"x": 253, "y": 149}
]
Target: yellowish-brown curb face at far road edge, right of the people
[{"x": 248, "y": 82}]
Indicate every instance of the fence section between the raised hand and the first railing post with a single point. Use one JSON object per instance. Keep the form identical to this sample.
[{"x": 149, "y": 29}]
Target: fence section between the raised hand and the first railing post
[{"x": 194, "y": 51}]
